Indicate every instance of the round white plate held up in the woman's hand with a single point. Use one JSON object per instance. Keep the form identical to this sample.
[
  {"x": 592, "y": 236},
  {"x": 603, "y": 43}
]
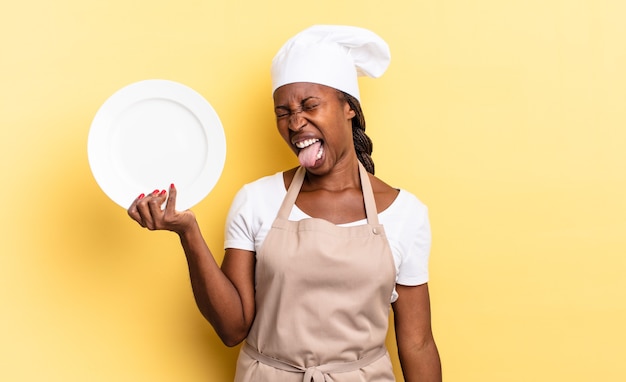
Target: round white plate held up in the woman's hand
[{"x": 152, "y": 133}]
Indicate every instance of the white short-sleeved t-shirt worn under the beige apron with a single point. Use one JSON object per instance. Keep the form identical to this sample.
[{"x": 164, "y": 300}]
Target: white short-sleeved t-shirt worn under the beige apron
[{"x": 406, "y": 225}]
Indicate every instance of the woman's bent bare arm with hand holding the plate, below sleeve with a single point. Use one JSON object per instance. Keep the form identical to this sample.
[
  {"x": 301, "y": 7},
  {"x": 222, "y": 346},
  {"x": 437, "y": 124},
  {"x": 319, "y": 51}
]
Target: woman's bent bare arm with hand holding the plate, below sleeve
[{"x": 224, "y": 296}]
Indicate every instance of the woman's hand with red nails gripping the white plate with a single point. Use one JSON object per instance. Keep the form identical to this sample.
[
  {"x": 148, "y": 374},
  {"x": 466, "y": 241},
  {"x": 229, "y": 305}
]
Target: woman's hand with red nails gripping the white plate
[{"x": 147, "y": 211}]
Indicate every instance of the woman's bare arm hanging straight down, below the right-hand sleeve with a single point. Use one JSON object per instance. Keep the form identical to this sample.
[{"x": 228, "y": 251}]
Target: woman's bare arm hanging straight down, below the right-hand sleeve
[{"x": 417, "y": 350}]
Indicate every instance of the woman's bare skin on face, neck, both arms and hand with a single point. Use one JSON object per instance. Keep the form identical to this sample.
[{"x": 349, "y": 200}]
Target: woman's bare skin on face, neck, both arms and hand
[{"x": 331, "y": 191}]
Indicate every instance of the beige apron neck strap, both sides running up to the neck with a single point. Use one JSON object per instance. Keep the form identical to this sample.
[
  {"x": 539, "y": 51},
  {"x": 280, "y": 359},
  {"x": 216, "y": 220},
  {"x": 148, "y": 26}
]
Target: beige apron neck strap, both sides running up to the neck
[{"x": 298, "y": 180}]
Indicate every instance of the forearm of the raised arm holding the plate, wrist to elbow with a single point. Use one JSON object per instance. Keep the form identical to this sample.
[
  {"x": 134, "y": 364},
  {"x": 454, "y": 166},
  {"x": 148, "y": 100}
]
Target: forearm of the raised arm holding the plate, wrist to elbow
[{"x": 217, "y": 298}]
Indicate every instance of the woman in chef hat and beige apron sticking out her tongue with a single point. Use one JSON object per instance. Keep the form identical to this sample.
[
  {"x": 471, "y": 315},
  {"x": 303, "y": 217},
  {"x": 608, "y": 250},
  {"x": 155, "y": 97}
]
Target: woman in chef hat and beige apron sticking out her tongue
[{"x": 309, "y": 272}]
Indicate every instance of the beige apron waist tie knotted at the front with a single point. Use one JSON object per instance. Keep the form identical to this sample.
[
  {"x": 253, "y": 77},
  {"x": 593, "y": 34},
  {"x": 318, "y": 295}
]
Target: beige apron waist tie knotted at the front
[{"x": 315, "y": 373}]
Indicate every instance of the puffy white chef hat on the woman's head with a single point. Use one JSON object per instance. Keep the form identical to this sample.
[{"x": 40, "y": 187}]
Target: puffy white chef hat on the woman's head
[{"x": 331, "y": 55}]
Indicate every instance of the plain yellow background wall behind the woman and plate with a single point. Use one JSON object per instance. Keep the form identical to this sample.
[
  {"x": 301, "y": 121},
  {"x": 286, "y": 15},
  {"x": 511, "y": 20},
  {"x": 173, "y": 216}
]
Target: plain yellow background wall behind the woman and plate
[{"x": 507, "y": 118}]
